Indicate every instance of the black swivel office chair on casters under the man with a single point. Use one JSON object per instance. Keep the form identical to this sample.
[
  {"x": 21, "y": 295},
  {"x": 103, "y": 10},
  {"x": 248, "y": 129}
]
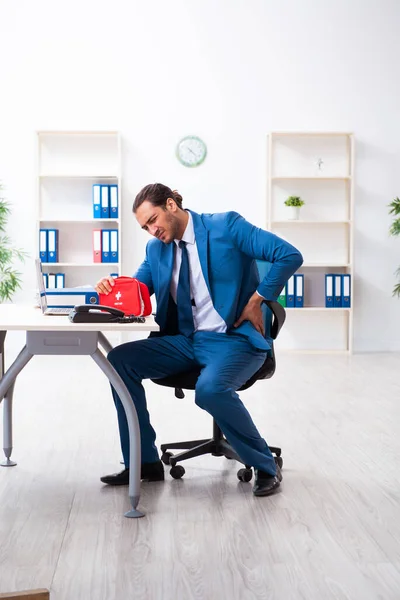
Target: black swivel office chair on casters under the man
[{"x": 274, "y": 318}]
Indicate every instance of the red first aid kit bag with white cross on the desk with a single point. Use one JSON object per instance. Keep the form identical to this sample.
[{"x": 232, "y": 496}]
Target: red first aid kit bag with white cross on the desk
[{"x": 129, "y": 295}]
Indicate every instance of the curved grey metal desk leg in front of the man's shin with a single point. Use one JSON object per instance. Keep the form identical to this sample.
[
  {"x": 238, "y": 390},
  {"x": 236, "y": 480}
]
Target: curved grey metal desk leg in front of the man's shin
[{"x": 134, "y": 431}]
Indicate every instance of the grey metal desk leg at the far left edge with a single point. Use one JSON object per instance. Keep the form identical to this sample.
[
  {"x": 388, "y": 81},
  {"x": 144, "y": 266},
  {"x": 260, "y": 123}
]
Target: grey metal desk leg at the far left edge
[{"x": 6, "y": 391}]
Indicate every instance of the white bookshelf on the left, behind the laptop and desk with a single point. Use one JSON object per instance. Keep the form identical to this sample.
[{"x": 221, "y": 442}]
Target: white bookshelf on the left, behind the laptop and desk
[{"x": 68, "y": 164}]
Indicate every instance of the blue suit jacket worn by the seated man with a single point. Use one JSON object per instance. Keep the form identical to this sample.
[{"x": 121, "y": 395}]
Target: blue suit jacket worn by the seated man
[{"x": 228, "y": 247}]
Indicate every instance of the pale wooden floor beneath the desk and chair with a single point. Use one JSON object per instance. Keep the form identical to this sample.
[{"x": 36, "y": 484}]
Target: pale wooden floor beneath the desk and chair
[{"x": 332, "y": 533}]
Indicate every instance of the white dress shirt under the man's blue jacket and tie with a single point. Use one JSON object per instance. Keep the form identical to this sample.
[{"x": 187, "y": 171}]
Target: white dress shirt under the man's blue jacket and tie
[{"x": 205, "y": 316}]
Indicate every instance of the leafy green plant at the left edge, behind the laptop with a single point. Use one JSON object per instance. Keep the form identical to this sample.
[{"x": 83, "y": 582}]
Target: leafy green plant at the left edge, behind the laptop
[{"x": 10, "y": 279}]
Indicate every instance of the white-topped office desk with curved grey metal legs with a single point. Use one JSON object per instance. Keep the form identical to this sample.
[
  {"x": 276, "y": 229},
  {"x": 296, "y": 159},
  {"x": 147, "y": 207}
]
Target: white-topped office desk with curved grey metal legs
[{"x": 56, "y": 335}]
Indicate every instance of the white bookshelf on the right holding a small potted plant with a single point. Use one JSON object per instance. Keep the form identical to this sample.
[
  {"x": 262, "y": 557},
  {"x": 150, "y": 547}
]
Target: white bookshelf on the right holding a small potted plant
[{"x": 323, "y": 234}]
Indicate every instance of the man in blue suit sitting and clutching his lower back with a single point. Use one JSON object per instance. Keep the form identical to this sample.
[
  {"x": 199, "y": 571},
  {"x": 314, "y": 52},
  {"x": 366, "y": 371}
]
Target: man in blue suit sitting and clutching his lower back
[{"x": 202, "y": 269}]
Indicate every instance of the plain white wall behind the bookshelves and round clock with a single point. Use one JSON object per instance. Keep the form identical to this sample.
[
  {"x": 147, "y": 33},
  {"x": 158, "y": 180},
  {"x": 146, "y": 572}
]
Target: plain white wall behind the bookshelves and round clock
[{"x": 229, "y": 71}]
